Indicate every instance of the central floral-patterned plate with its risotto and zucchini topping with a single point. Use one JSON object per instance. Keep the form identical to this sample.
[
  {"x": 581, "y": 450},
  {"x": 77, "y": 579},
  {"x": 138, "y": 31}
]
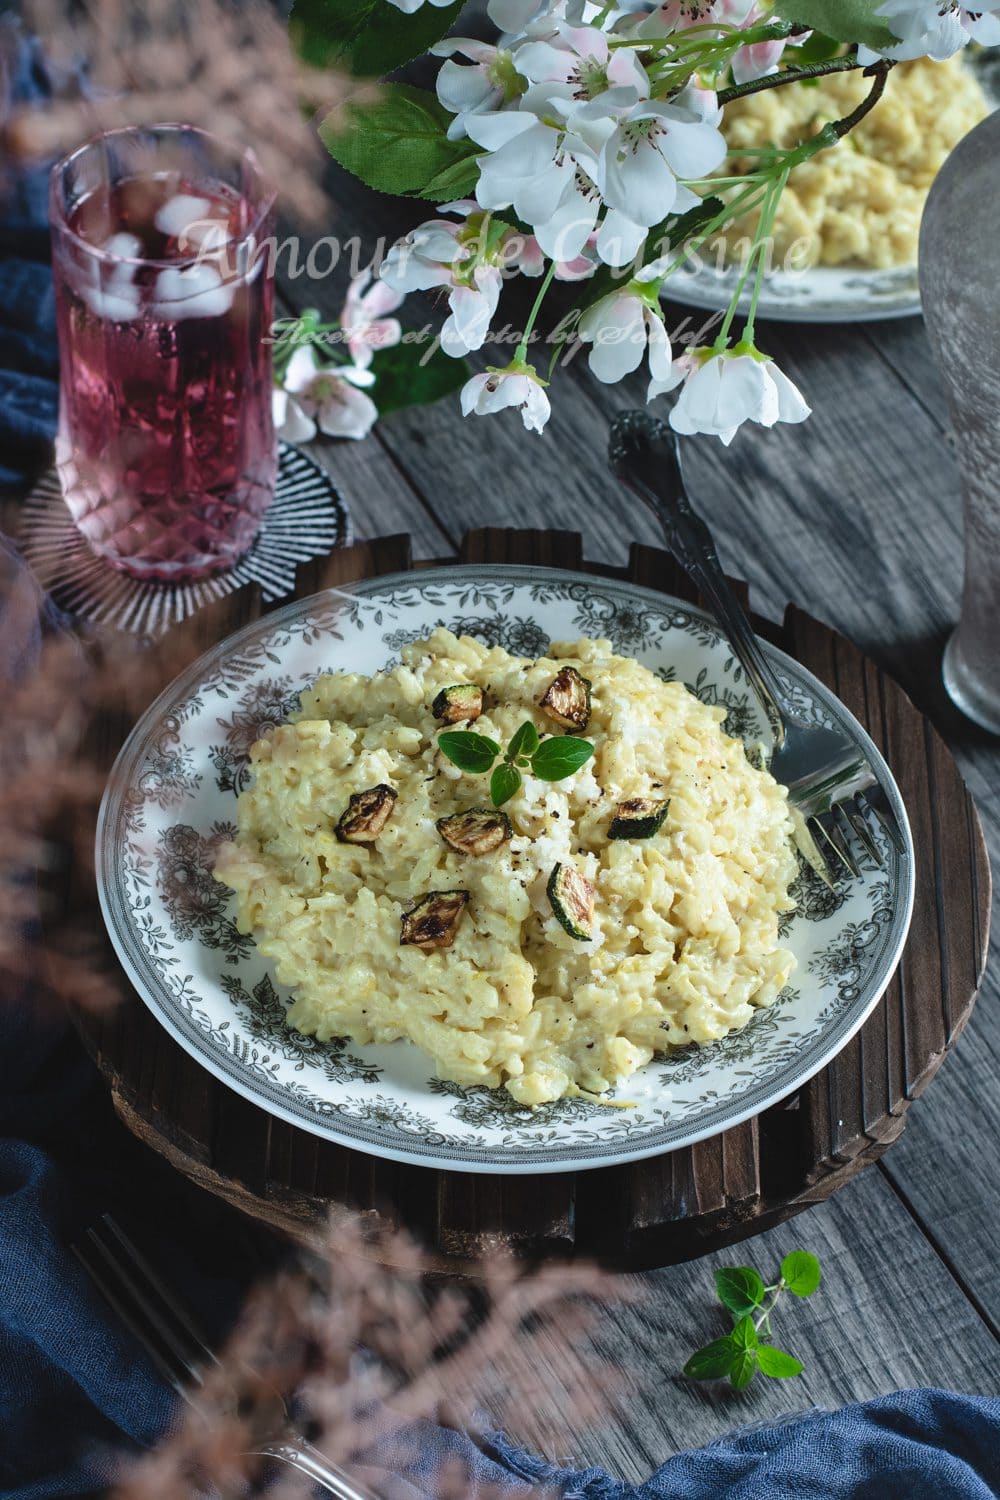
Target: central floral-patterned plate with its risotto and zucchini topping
[{"x": 484, "y": 869}]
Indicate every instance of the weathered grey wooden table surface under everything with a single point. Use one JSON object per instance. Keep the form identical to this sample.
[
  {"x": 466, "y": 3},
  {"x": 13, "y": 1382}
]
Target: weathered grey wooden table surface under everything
[{"x": 855, "y": 517}]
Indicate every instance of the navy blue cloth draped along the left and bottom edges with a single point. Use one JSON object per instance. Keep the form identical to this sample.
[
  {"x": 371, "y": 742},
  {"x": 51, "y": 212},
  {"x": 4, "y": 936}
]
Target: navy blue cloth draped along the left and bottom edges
[{"x": 74, "y": 1388}]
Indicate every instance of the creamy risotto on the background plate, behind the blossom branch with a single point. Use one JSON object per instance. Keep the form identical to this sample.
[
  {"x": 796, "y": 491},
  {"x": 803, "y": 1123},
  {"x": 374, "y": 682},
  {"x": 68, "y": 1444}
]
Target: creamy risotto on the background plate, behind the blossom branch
[{"x": 860, "y": 202}]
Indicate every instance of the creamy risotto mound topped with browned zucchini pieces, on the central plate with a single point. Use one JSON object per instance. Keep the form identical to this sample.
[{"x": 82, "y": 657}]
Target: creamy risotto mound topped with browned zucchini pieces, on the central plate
[{"x": 554, "y": 946}]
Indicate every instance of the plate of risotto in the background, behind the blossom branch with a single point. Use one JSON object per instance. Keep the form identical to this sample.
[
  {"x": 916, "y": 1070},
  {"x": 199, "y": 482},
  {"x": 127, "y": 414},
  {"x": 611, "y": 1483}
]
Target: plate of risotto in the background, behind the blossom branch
[{"x": 848, "y": 226}]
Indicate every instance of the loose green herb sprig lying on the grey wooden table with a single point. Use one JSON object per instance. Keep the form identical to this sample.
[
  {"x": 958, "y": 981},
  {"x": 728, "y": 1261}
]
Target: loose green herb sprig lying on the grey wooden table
[{"x": 743, "y": 1352}]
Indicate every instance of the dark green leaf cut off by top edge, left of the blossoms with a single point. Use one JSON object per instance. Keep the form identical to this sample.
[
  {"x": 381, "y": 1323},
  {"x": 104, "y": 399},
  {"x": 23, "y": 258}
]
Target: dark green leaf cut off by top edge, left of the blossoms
[{"x": 370, "y": 38}]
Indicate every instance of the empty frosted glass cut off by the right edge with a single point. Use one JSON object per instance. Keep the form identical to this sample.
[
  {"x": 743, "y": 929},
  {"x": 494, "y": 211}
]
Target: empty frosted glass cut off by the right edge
[{"x": 960, "y": 275}]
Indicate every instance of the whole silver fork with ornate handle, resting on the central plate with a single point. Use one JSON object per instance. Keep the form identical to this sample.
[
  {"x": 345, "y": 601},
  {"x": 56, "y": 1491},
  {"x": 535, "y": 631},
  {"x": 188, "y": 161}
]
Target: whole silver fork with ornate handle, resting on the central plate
[{"x": 831, "y": 784}]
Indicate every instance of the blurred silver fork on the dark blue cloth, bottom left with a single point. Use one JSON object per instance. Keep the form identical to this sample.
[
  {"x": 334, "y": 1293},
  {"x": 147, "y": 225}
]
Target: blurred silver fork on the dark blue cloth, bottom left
[{"x": 169, "y": 1334}]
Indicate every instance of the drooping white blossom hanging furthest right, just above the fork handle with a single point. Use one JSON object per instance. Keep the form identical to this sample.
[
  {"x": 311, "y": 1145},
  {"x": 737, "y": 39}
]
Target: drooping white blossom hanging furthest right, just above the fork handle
[{"x": 723, "y": 389}]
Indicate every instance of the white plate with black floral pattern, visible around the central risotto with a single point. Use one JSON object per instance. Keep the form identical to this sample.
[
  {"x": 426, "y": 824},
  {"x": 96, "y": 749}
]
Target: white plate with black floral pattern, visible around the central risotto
[{"x": 172, "y": 799}]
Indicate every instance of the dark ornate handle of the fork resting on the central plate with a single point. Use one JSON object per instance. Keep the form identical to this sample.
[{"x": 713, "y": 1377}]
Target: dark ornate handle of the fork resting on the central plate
[{"x": 645, "y": 455}]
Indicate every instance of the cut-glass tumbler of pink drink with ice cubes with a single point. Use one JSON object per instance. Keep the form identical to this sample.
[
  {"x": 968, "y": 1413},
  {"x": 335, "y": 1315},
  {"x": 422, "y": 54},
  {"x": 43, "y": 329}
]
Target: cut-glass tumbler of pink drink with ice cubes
[{"x": 166, "y": 439}]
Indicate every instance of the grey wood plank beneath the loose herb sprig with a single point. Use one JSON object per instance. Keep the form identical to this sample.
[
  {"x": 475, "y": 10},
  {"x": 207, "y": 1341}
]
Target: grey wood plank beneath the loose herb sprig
[{"x": 869, "y": 1331}]
